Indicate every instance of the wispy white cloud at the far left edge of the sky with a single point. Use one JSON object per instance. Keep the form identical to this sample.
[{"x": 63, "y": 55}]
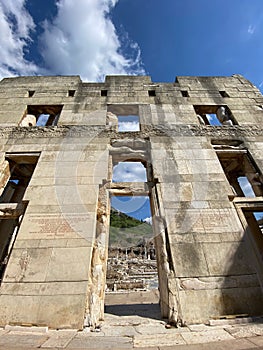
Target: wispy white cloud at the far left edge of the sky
[{"x": 15, "y": 27}]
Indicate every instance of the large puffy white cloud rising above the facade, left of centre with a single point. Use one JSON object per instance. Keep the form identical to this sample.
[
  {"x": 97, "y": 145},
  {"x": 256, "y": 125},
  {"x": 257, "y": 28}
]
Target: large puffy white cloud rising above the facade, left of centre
[{"x": 82, "y": 40}]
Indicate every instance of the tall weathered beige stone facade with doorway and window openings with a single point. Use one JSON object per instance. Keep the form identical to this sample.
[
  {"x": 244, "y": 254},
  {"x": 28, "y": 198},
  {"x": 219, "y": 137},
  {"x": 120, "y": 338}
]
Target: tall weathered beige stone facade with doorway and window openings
[{"x": 59, "y": 143}]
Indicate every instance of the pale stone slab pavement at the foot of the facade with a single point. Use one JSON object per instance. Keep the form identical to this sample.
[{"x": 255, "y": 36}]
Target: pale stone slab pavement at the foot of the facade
[{"x": 139, "y": 332}]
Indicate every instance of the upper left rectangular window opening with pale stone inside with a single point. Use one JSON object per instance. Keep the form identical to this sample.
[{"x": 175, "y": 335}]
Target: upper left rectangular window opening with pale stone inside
[{"x": 38, "y": 115}]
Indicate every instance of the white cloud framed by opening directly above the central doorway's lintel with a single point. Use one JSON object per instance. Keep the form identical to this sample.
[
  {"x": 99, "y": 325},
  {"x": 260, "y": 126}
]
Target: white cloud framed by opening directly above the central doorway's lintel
[{"x": 129, "y": 172}]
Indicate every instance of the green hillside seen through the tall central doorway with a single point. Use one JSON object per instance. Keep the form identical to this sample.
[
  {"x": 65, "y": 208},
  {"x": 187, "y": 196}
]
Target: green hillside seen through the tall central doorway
[{"x": 126, "y": 231}]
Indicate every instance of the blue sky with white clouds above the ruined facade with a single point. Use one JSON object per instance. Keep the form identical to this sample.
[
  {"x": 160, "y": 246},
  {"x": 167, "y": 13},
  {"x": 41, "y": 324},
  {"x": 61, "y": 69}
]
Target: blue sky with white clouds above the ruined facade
[{"x": 163, "y": 39}]
